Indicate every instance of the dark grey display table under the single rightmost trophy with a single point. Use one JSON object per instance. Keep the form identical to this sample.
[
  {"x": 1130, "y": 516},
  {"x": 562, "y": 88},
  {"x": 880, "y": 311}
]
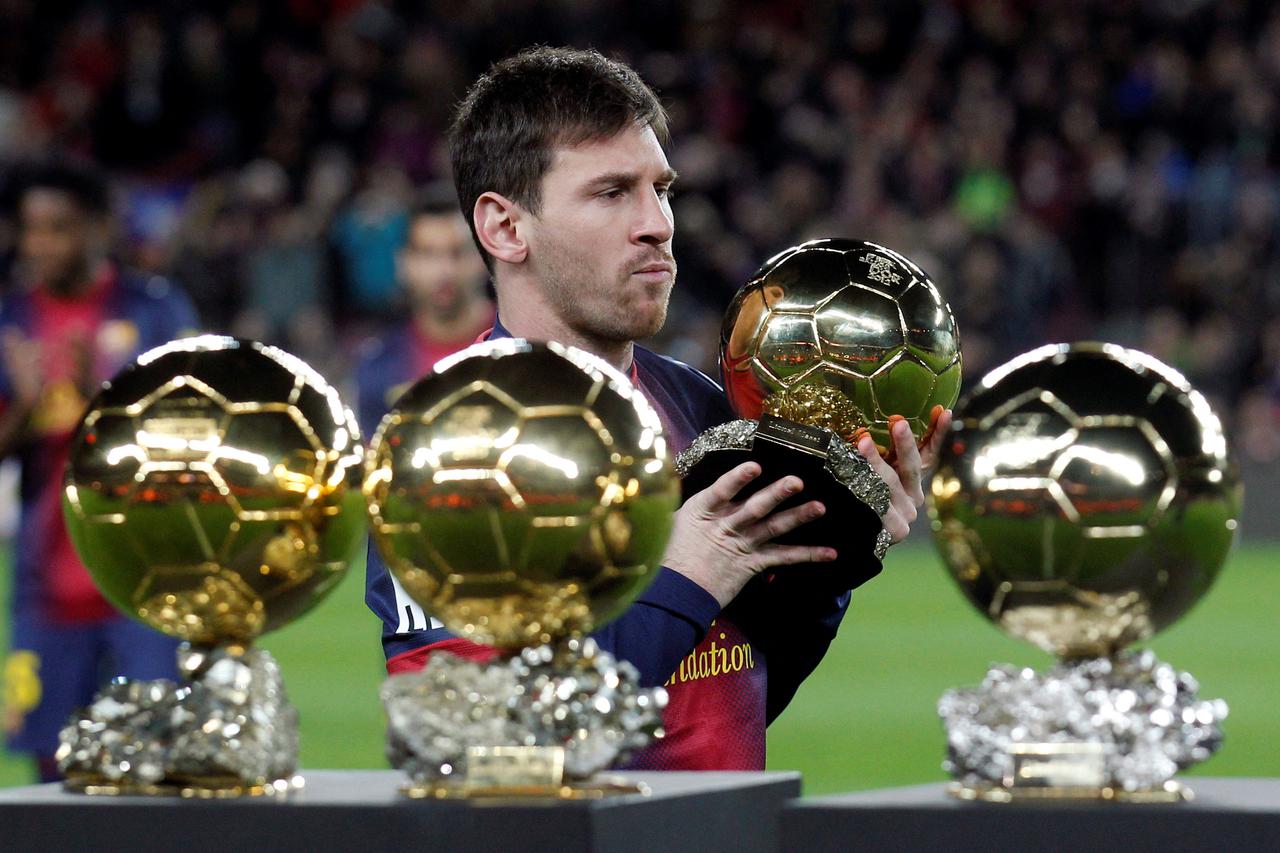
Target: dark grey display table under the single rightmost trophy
[{"x": 1233, "y": 815}]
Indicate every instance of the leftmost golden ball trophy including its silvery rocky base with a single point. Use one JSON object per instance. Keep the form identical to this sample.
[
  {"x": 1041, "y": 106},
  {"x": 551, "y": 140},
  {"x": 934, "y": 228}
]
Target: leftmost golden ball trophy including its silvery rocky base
[{"x": 213, "y": 491}]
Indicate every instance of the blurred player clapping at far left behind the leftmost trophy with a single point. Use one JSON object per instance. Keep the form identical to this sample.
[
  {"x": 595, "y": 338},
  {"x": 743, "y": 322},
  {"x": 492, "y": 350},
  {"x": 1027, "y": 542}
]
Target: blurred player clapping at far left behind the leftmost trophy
[{"x": 77, "y": 322}]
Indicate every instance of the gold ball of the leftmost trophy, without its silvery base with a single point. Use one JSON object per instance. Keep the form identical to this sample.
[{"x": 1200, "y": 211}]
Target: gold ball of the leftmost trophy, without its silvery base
[{"x": 213, "y": 490}]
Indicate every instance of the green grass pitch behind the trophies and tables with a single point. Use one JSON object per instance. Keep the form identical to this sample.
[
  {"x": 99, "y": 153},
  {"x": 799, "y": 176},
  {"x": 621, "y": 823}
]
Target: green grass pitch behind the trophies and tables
[{"x": 866, "y": 719}]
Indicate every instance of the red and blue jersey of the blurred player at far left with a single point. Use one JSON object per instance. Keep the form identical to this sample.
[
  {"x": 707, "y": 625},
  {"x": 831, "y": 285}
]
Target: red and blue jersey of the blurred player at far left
[{"x": 84, "y": 341}]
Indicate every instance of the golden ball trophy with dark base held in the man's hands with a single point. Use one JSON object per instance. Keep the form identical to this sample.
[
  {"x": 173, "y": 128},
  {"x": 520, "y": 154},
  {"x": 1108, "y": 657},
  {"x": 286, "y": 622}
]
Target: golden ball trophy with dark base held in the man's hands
[{"x": 830, "y": 340}]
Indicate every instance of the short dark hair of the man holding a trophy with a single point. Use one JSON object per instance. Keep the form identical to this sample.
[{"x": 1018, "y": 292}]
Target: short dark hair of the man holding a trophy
[{"x": 525, "y": 107}]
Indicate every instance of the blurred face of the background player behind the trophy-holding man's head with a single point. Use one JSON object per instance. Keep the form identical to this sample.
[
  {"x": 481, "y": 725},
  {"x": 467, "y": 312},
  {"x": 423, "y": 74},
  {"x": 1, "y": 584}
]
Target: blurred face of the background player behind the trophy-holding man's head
[{"x": 440, "y": 266}]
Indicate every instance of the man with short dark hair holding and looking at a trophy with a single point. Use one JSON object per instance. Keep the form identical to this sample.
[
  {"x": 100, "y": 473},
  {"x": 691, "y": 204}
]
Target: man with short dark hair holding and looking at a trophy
[{"x": 559, "y": 159}]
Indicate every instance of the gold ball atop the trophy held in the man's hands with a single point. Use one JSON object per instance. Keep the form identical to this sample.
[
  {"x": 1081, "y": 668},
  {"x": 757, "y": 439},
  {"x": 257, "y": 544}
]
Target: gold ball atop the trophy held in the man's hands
[{"x": 842, "y": 335}]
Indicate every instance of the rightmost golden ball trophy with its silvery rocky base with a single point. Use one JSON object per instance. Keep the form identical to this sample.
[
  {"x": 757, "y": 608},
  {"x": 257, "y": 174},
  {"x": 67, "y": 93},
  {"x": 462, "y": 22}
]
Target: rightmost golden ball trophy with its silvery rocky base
[{"x": 1084, "y": 503}]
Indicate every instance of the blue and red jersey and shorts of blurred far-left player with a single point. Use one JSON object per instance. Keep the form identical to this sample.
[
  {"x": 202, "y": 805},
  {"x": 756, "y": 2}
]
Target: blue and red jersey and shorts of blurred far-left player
[{"x": 67, "y": 640}]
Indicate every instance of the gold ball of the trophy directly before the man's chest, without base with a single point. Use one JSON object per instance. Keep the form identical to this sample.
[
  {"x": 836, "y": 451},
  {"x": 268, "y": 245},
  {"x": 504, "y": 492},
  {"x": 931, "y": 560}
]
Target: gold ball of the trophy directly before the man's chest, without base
[{"x": 522, "y": 494}]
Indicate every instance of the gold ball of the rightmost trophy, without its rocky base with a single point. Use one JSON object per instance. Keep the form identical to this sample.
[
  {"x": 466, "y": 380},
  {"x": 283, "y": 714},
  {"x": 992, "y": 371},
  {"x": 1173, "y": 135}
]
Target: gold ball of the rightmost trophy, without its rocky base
[{"x": 1085, "y": 499}]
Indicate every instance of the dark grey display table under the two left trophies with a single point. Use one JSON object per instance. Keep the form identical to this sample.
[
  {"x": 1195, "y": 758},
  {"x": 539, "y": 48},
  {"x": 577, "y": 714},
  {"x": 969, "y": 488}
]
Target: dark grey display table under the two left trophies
[{"x": 363, "y": 811}]
